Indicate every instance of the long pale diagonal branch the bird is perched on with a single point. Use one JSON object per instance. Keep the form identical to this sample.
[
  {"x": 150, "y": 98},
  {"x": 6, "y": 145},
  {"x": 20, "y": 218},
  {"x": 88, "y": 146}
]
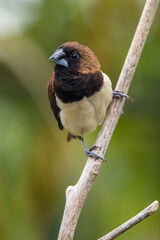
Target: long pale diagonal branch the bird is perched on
[{"x": 76, "y": 195}]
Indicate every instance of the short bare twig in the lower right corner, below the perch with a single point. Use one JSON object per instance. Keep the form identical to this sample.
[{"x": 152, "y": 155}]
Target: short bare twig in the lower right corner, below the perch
[{"x": 148, "y": 211}]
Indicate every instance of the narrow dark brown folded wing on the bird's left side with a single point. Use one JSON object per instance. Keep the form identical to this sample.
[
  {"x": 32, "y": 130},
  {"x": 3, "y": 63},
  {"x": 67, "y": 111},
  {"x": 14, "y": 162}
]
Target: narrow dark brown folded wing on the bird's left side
[{"x": 52, "y": 99}]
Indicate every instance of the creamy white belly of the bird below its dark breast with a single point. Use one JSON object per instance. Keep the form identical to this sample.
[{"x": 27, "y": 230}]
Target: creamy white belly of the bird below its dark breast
[{"x": 84, "y": 116}]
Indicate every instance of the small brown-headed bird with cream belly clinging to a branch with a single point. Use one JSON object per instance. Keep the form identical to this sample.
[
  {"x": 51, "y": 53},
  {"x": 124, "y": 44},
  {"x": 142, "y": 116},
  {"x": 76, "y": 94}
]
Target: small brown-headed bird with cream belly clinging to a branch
[{"x": 79, "y": 92}]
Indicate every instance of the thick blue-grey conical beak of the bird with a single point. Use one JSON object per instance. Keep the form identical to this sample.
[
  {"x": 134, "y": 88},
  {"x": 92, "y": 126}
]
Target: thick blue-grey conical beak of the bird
[{"x": 58, "y": 57}]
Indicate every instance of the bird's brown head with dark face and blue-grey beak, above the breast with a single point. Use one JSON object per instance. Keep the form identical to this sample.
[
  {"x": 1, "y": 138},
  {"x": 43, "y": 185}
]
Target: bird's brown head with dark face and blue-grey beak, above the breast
[{"x": 75, "y": 58}]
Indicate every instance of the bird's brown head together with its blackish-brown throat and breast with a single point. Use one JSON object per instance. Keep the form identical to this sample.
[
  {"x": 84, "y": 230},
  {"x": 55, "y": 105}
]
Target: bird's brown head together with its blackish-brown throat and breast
[{"x": 77, "y": 72}]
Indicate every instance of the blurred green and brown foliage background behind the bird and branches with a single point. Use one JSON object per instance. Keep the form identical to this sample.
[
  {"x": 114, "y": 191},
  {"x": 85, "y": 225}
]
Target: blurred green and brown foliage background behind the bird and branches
[{"x": 36, "y": 162}]
